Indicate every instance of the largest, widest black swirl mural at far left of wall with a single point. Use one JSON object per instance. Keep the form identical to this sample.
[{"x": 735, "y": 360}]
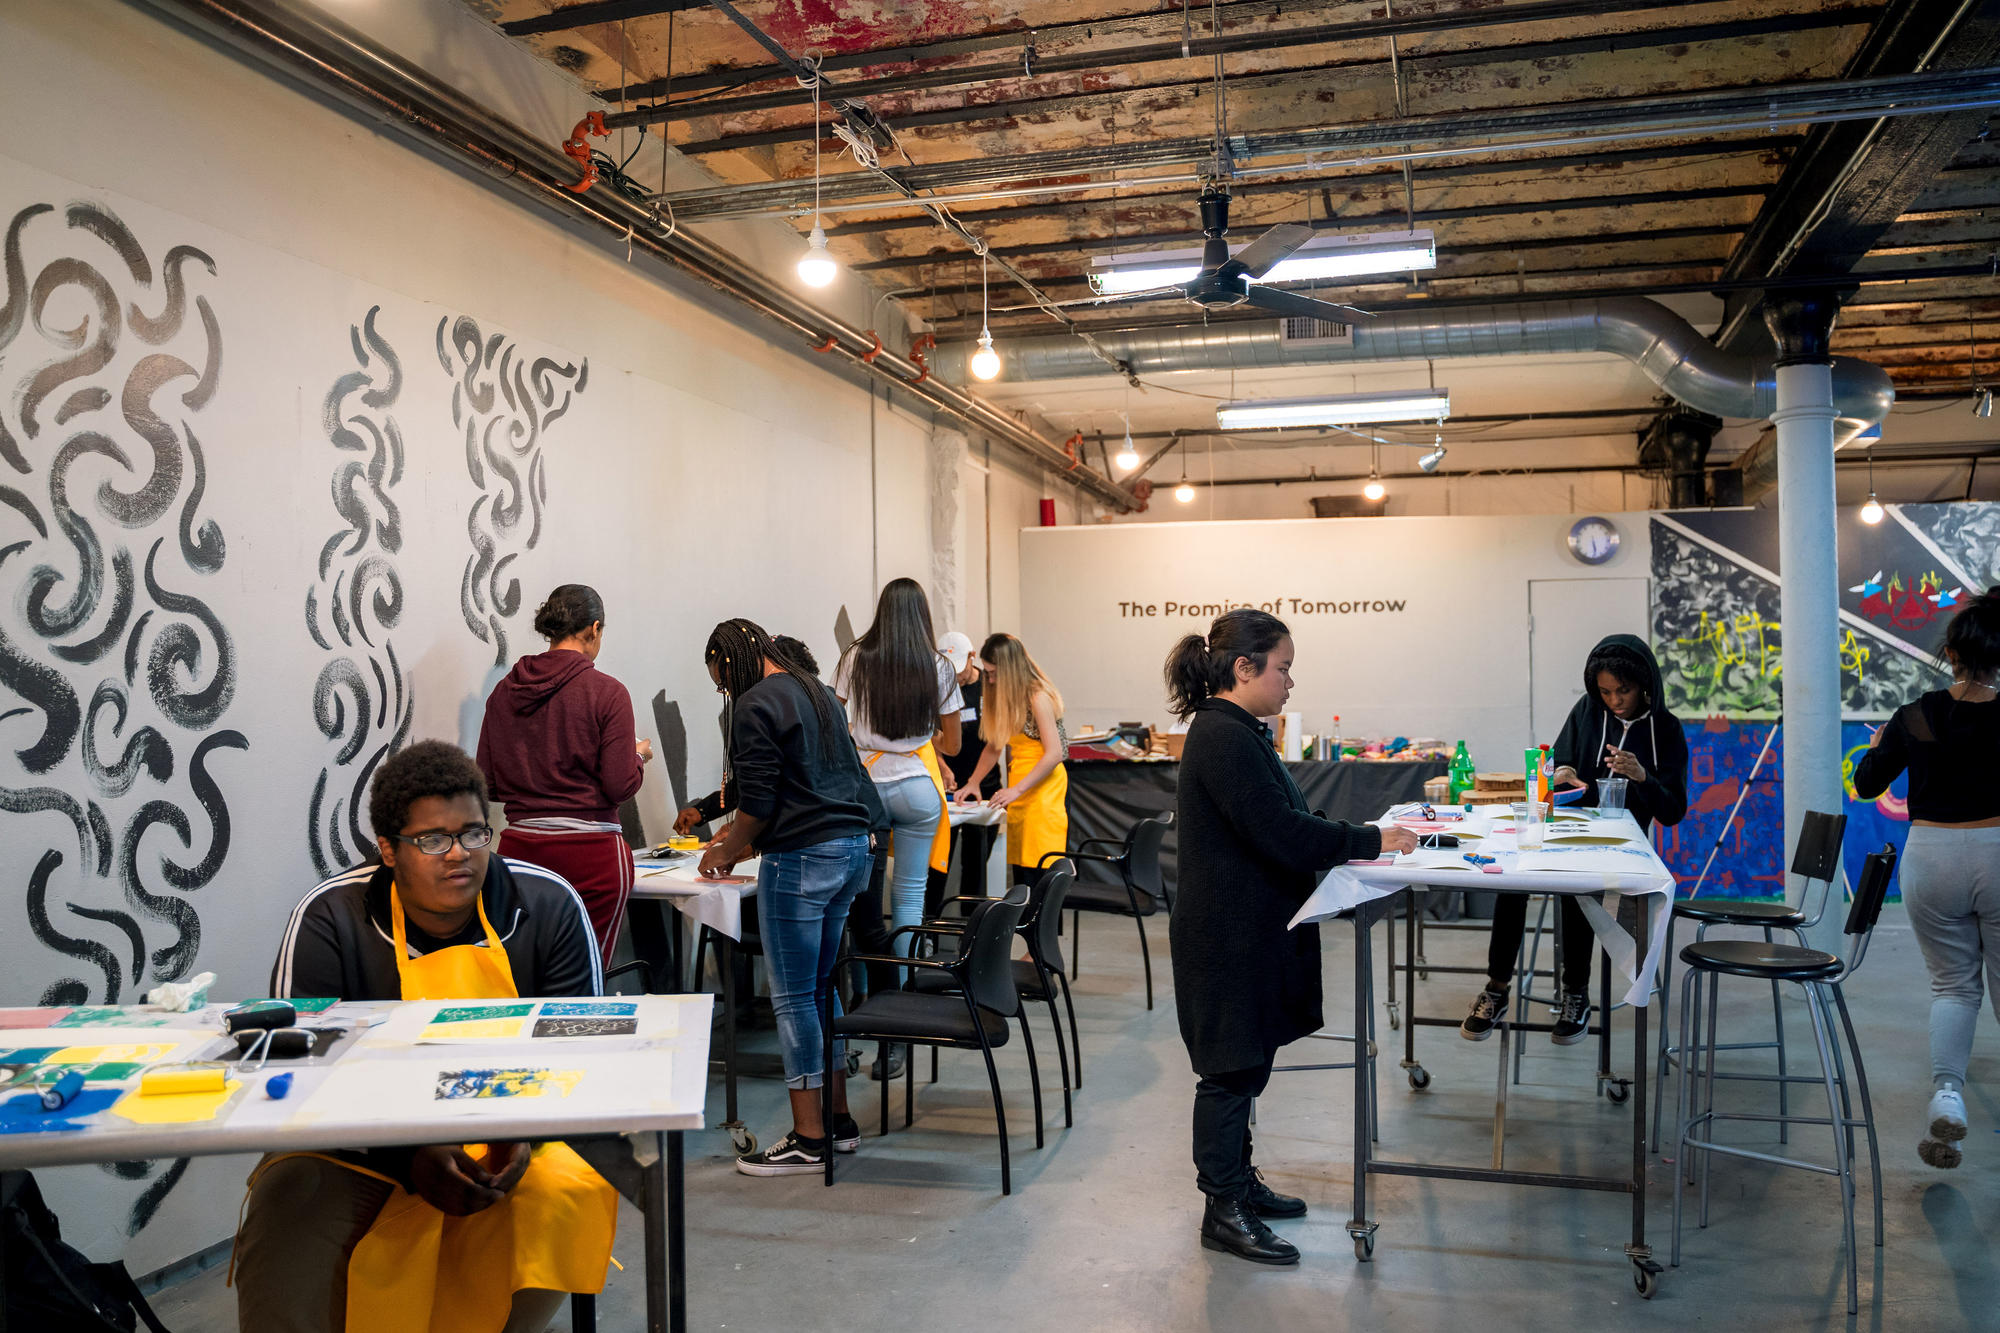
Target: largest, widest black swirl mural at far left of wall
[{"x": 115, "y": 672}]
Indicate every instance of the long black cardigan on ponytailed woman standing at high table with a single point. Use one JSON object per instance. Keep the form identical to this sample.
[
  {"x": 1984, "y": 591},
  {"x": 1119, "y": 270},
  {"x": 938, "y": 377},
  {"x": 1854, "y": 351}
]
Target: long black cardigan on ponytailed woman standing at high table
[{"x": 1251, "y": 854}]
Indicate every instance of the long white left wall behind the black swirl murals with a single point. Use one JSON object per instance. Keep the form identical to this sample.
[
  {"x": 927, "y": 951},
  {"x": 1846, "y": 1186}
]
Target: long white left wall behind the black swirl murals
[{"x": 699, "y": 473}]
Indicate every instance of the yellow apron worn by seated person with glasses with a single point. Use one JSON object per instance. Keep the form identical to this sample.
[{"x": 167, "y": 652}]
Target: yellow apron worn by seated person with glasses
[{"x": 421, "y": 1272}]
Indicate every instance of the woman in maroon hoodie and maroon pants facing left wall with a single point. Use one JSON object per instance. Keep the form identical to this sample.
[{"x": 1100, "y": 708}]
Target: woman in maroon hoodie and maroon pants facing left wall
[{"x": 561, "y": 756}]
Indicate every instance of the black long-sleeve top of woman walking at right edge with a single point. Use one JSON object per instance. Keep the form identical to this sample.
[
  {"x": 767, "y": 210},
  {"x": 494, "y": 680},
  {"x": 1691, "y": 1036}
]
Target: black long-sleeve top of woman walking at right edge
[{"x": 1949, "y": 748}]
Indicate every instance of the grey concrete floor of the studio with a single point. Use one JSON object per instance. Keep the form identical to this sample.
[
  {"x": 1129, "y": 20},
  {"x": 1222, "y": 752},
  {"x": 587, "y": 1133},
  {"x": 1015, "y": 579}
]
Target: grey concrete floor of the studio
[{"x": 1101, "y": 1230}]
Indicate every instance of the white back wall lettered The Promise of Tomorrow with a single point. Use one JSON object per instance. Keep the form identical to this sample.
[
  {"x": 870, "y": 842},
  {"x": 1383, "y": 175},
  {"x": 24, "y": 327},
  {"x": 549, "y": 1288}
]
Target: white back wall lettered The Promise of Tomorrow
[{"x": 1451, "y": 665}]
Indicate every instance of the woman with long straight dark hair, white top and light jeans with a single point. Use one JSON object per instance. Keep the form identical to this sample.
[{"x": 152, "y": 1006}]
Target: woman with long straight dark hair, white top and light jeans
[{"x": 903, "y": 712}]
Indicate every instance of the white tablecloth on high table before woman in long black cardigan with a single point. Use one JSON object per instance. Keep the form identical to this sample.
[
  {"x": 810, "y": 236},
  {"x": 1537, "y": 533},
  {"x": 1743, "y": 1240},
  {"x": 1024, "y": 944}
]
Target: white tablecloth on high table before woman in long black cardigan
[{"x": 1351, "y": 886}]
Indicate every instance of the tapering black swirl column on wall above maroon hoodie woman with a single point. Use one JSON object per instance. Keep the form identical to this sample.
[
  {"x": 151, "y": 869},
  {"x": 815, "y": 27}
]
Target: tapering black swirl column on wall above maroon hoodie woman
[{"x": 503, "y": 405}]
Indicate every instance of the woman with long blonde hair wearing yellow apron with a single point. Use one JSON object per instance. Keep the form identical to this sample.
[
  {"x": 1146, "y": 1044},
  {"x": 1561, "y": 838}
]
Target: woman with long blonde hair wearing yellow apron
[{"x": 1025, "y": 708}]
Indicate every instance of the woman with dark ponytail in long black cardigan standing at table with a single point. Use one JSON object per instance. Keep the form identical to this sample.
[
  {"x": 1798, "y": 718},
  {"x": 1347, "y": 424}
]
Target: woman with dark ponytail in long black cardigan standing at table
[{"x": 1251, "y": 856}]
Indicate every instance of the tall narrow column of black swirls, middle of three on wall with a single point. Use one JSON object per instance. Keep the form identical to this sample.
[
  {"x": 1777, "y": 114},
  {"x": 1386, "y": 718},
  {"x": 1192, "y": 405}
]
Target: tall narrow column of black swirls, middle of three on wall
[{"x": 361, "y": 700}]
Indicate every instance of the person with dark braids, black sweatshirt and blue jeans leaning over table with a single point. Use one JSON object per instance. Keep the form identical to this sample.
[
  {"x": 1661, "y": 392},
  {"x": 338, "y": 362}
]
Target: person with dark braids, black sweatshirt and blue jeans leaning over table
[{"x": 803, "y": 806}]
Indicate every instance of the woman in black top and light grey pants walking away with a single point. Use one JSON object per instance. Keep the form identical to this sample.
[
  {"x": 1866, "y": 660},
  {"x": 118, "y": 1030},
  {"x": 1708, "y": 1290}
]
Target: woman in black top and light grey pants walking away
[{"x": 1951, "y": 866}]
